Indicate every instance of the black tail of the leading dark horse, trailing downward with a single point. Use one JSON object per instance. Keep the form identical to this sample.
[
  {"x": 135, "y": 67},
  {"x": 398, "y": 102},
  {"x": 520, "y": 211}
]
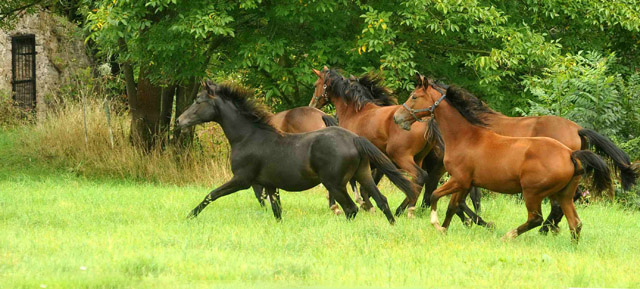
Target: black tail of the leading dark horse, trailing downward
[{"x": 379, "y": 160}]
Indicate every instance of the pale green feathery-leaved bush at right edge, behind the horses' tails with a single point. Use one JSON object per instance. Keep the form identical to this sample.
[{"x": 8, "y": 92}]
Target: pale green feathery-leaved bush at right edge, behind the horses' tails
[{"x": 583, "y": 88}]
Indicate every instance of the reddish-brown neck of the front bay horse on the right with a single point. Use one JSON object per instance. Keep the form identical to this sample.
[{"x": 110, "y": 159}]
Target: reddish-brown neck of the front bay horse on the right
[{"x": 455, "y": 129}]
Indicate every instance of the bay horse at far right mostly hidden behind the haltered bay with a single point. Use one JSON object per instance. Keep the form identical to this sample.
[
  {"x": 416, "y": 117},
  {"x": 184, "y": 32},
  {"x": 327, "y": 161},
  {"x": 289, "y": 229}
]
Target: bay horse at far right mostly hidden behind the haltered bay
[{"x": 565, "y": 131}]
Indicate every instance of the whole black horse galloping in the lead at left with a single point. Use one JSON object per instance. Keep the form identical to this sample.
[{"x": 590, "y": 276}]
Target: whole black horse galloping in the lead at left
[{"x": 263, "y": 155}]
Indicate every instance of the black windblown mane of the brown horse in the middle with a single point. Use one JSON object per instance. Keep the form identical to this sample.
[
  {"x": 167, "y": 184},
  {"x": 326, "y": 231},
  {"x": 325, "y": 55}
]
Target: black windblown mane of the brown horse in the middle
[{"x": 360, "y": 91}]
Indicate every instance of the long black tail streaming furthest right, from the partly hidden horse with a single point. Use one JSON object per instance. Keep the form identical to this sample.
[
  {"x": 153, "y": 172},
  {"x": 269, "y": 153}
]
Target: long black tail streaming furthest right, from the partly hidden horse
[{"x": 605, "y": 147}]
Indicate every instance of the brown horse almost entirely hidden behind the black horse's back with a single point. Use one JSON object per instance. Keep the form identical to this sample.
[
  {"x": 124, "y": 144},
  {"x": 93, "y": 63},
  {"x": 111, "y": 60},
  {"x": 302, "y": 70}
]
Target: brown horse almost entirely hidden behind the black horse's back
[{"x": 306, "y": 119}]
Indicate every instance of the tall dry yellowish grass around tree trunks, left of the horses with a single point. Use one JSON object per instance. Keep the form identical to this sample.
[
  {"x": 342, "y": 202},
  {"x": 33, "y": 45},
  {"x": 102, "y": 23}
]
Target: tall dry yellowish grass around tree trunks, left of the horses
[{"x": 59, "y": 138}]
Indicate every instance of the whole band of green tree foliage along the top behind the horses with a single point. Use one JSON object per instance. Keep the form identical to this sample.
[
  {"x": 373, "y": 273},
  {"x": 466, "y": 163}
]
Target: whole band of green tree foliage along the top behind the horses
[{"x": 514, "y": 54}]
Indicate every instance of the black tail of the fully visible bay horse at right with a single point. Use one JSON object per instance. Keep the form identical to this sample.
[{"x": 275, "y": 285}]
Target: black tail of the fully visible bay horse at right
[{"x": 593, "y": 166}]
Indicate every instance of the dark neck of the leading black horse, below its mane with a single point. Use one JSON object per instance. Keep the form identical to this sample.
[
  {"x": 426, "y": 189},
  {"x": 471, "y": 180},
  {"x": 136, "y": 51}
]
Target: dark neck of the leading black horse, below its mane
[{"x": 239, "y": 129}]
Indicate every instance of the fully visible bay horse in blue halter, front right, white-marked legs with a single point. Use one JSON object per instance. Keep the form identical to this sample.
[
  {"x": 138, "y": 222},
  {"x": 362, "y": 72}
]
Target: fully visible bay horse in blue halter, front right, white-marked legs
[{"x": 537, "y": 167}]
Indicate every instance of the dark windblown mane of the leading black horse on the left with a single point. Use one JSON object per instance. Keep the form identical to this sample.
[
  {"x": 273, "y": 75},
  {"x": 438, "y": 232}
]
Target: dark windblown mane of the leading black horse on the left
[{"x": 246, "y": 103}]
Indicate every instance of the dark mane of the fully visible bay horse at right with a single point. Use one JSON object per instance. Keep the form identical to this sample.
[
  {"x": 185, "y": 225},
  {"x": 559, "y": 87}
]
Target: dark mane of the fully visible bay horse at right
[{"x": 469, "y": 106}]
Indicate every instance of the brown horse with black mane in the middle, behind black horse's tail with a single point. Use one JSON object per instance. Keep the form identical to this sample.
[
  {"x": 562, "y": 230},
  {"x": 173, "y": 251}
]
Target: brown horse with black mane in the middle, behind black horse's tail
[{"x": 372, "y": 118}]
